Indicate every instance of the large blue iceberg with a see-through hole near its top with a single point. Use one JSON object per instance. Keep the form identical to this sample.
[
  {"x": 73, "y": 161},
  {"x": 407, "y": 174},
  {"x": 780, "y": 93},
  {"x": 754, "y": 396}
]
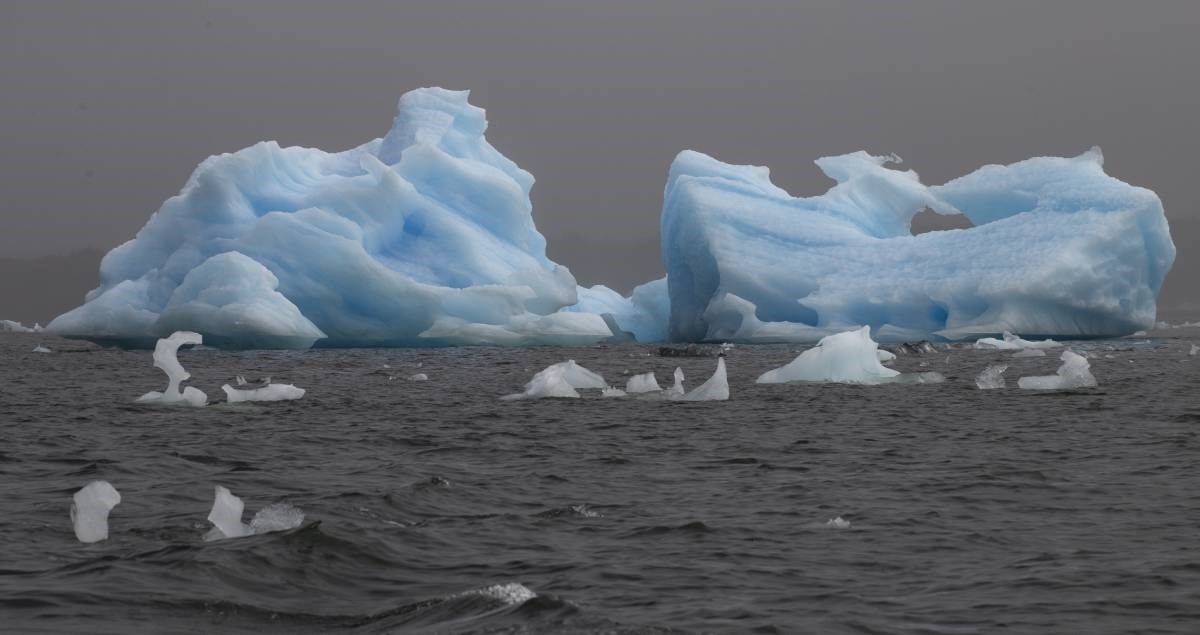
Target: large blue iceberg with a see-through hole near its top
[{"x": 1059, "y": 249}]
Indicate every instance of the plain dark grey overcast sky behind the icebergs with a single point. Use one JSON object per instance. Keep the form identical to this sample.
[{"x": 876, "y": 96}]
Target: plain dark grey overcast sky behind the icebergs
[{"x": 107, "y": 106}]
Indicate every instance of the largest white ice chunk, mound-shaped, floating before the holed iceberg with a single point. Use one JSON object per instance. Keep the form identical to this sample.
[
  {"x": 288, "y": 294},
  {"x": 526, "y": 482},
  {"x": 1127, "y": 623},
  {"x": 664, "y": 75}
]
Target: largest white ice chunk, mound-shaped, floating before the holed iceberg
[{"x": 848, "y": 357}]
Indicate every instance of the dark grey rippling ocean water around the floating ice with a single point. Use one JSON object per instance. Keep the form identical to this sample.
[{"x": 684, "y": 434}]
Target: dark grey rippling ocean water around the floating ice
[{"x": 436, "y": 507}]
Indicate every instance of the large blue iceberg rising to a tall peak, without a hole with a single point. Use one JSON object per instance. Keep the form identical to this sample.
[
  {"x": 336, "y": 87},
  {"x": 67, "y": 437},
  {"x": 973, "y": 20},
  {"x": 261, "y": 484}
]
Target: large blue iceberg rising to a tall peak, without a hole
[{"x": 423, "y": 238}]
